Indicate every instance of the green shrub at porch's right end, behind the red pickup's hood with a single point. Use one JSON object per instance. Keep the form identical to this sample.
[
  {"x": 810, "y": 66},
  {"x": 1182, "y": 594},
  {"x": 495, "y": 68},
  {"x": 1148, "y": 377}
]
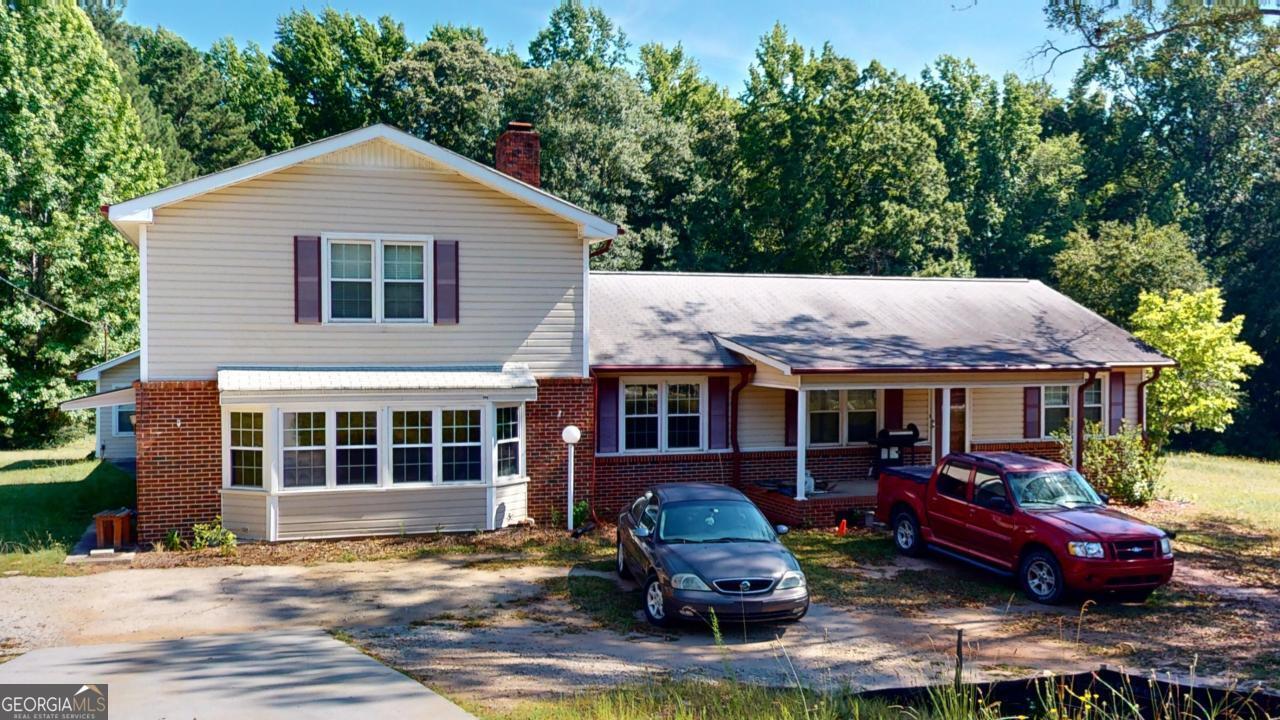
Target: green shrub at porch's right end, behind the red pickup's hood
[{"x": 1124, "y": 466}]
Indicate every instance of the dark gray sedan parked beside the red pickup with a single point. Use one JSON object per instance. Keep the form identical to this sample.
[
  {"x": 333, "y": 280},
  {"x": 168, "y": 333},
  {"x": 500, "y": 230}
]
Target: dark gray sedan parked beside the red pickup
[{"x": 697, "y": 548}]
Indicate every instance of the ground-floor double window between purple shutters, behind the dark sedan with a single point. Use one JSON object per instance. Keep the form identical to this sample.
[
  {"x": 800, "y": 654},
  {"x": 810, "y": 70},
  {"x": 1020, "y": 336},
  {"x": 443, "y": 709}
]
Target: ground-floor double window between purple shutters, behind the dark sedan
[{"x": 664, "y": 416}]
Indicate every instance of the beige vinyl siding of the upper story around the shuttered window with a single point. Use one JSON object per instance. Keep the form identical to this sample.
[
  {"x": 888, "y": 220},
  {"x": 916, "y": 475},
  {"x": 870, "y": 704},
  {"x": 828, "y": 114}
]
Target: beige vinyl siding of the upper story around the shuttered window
[{"x": 221, "y": 271}]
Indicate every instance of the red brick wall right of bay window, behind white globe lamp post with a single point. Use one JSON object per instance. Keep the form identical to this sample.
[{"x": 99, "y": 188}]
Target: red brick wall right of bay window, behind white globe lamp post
[{"x": 561, "y": 402}]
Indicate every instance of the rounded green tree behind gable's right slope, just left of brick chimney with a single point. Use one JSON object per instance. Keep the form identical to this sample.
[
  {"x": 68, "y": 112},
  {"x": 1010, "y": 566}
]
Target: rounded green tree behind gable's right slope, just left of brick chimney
[{"x": 451, "y": 92}]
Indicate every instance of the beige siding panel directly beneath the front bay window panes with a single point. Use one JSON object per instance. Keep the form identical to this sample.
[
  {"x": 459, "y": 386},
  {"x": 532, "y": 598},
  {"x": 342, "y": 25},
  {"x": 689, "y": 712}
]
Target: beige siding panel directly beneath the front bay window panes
[{"x": 333, "y": 514}]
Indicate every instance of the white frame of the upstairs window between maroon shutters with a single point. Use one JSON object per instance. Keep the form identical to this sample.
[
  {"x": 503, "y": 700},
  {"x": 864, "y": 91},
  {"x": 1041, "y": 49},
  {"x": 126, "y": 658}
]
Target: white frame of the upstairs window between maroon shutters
[{"x": 378, "y": 241}]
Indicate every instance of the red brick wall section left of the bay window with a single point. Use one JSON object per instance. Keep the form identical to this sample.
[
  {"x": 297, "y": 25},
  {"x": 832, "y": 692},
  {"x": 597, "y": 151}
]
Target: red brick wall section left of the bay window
[{"x": 179, "y": 432}]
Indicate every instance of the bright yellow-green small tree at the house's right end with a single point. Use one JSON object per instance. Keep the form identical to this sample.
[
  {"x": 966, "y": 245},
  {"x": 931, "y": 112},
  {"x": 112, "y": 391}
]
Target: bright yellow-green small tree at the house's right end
[{"x": 1204, "y": 391}]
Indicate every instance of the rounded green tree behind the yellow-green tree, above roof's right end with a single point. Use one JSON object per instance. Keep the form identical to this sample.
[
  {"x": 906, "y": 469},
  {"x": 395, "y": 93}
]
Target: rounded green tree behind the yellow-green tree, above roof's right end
[{"x": 1109, "y": 271}]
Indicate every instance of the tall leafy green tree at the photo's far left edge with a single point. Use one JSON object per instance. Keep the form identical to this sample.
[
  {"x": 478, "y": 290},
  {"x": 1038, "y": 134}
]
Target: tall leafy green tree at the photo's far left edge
[{"x": 70, "y": 143}]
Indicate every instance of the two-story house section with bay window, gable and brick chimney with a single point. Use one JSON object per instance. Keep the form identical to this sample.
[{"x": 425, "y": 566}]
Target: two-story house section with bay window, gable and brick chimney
[{"x": 359, "y": 336}]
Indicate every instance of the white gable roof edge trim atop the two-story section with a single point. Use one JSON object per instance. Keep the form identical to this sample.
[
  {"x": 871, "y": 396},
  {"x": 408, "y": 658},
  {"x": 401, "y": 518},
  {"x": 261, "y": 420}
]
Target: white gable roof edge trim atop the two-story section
[{"x": 127, "y": 216}]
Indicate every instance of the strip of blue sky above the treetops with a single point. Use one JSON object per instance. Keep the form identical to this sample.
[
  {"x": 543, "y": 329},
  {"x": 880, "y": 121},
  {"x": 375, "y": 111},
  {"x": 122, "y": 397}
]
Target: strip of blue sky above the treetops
[{"x": 907, "y": 35}]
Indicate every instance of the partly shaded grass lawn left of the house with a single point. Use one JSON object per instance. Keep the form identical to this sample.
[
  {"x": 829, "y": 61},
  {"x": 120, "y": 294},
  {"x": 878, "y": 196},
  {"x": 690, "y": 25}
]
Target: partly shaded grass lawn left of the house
[{"x": 48, "y": 498}]
